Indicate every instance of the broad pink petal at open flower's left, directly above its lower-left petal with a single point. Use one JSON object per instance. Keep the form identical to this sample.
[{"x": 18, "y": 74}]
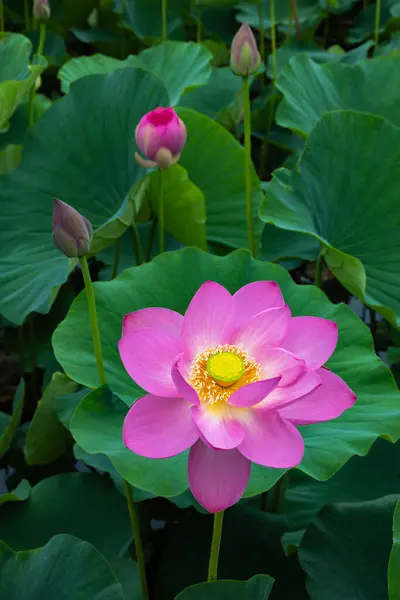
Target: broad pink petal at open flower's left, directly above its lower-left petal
[{"x": 148, "y": 356}]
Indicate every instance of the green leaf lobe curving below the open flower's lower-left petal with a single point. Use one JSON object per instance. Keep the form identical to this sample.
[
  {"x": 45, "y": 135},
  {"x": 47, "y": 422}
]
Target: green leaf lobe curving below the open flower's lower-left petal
[{"x": 97, "y": 427}]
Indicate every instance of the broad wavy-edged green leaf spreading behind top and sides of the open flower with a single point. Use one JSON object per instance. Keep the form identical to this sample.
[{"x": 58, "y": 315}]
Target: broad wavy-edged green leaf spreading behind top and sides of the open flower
[{"x": 159, "y": 283}]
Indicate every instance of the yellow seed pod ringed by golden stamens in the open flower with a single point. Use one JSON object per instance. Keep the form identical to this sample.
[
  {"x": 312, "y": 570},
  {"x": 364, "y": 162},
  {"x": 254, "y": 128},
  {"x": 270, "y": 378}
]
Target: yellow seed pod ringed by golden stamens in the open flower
[{"x": 218, "y": 372}]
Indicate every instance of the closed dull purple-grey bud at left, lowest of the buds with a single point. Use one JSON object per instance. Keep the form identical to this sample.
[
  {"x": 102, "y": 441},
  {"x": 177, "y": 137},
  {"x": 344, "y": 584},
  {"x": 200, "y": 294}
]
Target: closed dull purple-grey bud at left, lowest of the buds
[{"x": 72, "y": 232}]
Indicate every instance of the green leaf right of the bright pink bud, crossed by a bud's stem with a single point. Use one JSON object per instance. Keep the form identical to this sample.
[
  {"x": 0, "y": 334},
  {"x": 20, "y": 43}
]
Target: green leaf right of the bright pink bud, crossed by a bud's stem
[{"x": 214, "y": 162}]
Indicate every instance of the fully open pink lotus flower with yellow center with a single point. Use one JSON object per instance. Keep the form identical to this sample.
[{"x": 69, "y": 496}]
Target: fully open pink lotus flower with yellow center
[{"x": 230, "y": 380}]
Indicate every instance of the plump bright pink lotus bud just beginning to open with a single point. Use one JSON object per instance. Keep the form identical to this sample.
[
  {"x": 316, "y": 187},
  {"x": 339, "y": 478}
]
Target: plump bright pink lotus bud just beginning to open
[{"x": 160, "y": 136}]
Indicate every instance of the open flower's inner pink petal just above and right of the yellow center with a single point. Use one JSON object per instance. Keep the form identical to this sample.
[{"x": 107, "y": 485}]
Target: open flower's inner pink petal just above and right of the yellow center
[{"x": 266, "y": 330}]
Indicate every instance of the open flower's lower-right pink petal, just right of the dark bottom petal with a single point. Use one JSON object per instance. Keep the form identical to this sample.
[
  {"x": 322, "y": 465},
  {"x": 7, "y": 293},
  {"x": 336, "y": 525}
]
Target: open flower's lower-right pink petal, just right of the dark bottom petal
[{"x": 272, "y": 441}]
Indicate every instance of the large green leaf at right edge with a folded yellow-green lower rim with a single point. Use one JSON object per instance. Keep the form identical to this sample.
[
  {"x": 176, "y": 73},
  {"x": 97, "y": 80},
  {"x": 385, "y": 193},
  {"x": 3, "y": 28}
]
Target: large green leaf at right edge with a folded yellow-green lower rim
[{"x": 337, "y": 197}]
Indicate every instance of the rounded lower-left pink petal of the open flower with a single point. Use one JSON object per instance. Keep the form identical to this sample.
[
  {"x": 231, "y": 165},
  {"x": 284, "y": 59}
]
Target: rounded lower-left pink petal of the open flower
[{"x": 159, "y": 427}]
